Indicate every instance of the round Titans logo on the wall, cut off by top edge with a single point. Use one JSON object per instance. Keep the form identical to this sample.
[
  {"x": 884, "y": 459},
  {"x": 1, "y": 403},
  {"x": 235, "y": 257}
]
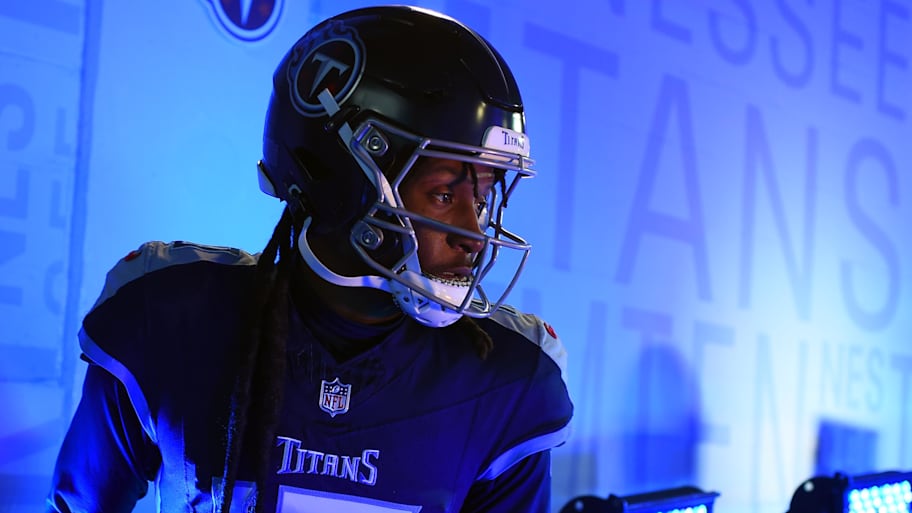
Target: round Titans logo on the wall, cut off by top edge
[{"x": 247, "y": 20}]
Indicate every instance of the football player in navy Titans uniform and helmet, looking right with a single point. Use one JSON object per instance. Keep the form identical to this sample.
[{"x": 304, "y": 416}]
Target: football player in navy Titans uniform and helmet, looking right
[{"x": 362, "y": 362}]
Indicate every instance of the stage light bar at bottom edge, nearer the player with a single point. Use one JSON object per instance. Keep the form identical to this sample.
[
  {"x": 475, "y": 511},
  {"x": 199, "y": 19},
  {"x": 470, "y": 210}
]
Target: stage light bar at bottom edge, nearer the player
[{"x": 684, "y": 499}]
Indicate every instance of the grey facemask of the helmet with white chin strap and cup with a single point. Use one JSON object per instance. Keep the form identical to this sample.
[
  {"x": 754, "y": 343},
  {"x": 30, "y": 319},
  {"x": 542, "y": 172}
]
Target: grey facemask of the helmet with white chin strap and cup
[{"x": 432, "y": 300}]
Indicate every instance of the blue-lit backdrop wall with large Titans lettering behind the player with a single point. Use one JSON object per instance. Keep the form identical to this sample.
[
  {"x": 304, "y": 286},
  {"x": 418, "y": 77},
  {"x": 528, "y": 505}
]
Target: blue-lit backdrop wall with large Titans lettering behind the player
[{"x": 721, "y": 217}]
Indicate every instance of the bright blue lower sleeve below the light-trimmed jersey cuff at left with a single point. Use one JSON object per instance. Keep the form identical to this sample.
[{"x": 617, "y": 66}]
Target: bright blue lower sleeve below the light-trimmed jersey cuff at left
[{"x": 106, "y": 460}]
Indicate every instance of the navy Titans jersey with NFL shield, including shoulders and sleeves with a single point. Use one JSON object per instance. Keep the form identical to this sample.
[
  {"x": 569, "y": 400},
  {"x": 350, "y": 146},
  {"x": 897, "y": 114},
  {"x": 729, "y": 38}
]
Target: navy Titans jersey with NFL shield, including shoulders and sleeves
[{"x": 416, "y": 422}]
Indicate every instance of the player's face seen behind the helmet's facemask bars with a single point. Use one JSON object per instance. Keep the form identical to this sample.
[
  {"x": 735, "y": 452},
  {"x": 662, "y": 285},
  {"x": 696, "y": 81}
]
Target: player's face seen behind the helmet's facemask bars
[{"x": 451, "y": 192}]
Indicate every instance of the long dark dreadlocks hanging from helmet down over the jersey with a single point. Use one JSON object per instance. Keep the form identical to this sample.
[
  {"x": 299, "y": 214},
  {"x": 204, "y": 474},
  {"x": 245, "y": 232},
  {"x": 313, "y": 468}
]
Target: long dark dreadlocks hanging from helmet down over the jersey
[{"x": 261, "y": 370}]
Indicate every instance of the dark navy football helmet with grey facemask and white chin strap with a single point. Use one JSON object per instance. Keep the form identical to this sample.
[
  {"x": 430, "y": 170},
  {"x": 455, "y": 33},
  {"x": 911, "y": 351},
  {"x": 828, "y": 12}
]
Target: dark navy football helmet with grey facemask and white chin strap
[{"x": 356, "y": 102}]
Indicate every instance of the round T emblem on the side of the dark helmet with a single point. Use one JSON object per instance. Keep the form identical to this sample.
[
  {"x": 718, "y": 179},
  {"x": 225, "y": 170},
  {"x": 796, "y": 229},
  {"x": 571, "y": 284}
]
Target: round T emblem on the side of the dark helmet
[{"x": 334, "y": 62}]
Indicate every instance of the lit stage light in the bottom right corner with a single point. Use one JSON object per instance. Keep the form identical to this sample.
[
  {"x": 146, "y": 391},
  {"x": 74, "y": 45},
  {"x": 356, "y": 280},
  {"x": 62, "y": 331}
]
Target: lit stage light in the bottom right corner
[{"x": 884, "y": 492}]
